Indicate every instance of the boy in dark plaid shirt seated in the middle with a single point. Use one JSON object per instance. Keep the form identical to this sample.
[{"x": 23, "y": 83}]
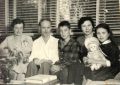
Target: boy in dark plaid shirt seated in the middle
[{"x": 68, "y": 64}]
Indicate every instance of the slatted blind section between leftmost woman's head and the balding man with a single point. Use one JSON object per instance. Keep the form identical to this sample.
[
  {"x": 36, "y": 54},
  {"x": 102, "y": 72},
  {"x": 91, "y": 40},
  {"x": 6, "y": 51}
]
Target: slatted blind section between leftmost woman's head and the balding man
[{"x": 28, "y": 12}]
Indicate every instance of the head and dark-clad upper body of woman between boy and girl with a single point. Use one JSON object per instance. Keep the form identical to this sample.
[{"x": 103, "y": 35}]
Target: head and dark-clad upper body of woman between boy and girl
[{"x": 86, "y": 25}]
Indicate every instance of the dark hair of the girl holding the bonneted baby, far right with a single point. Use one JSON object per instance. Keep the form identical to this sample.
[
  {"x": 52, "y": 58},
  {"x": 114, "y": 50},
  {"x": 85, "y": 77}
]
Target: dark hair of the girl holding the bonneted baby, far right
[{"x": 107, "y": 28}]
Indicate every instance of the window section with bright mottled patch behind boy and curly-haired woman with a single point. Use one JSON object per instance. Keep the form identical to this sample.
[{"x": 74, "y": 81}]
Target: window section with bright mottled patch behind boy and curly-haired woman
[{"x": 77, "y": 9}]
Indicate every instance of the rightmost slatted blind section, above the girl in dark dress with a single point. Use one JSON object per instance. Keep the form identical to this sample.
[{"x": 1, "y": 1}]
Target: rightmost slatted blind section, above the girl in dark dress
[{"x": 110, "y": 13}]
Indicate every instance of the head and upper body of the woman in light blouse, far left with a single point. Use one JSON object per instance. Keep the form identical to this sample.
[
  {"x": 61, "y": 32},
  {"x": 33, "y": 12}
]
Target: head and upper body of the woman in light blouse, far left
[{"x": 24, "y": 42}]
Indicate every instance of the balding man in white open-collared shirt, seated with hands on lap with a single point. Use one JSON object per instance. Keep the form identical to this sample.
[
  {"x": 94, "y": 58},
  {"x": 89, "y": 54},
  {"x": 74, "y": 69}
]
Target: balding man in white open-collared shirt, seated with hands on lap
[{"x": 44, "y": 51}]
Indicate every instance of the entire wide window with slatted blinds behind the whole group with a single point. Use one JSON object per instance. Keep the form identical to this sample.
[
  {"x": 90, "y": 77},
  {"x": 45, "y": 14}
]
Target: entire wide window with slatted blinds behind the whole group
[{"x": 32, "y": 11}]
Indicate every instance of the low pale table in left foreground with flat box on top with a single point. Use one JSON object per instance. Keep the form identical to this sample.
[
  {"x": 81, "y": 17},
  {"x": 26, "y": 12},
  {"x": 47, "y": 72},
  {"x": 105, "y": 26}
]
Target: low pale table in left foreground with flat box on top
[{"x": 34, "y": 80}]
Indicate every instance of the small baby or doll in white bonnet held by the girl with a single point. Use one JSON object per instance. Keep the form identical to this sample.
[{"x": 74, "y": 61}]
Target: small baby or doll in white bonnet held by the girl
[{"x": 94, "y": 52}]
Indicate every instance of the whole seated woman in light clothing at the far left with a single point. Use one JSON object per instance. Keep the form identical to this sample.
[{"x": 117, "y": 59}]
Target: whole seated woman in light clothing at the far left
[{"x": 18, "y": 45}]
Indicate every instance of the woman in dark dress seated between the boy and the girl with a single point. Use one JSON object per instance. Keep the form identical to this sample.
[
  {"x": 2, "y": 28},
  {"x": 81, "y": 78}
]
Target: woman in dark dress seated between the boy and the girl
[{"x": 86, "y": 25}]
